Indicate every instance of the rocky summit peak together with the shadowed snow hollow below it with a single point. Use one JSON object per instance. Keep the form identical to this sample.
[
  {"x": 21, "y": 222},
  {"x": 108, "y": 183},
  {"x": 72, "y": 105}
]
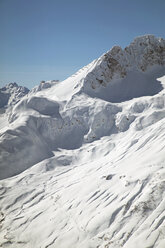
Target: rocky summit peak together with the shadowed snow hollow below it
[{"x": 110, "y": 70}]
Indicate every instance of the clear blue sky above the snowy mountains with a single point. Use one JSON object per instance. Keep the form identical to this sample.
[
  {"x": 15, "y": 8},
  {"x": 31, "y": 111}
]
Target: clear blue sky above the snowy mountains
[{"x": 52, "y": 39}]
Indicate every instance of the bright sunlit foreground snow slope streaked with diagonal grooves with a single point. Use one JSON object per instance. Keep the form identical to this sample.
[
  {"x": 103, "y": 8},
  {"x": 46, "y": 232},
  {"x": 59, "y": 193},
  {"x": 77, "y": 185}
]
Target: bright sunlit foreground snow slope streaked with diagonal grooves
[{"x": 109, "y": 193}]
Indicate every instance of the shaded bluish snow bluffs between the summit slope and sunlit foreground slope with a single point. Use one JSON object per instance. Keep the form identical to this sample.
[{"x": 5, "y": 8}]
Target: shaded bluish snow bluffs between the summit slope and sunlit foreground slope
[{"x": 40, "y": 128}]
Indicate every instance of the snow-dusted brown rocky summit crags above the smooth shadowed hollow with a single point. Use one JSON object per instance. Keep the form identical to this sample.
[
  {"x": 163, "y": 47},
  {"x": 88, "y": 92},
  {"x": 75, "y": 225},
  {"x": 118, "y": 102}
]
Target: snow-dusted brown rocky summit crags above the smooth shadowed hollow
[{"x": 142, "y": 54}]
